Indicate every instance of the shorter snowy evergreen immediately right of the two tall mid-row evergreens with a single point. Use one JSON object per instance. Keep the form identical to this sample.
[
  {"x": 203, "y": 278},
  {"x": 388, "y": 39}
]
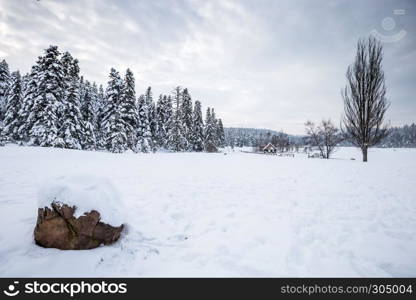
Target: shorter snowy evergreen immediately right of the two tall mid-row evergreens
[{"x": 144, "y": 142}]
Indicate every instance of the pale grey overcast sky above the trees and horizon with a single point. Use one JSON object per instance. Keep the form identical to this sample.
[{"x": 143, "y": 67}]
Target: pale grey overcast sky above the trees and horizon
[{"x": 265, "y": 64}]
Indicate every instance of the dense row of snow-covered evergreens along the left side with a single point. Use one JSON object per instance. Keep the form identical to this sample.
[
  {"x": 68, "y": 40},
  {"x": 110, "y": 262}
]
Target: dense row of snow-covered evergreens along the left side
[{"x": 53, "y": 106}]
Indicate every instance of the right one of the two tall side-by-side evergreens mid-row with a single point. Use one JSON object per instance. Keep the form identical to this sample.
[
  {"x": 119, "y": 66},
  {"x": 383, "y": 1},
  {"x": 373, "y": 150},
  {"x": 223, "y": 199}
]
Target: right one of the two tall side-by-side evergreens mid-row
[{"x": 129, "y": 112}]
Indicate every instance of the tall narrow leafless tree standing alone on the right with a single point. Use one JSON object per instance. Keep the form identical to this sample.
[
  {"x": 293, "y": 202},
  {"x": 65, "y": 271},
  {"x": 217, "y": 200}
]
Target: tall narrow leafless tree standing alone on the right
[{"x": 365, "y": 102}]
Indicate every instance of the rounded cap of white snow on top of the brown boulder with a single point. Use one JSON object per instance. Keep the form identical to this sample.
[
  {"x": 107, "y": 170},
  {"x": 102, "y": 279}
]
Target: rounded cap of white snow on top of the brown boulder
[{"x": 86, "y": 193}]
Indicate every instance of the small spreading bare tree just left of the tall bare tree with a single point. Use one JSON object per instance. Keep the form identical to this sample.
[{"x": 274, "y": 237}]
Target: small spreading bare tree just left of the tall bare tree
[{"x": 325, "y": 136}]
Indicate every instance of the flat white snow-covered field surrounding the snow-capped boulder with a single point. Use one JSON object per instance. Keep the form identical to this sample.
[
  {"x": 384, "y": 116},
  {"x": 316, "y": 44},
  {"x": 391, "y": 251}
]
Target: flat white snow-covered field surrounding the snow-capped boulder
[{"x": 222, "y": 215}]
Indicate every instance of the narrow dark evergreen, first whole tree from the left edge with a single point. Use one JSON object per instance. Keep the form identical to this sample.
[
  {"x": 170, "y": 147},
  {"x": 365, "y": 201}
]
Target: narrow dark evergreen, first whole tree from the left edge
[{"x": 14, "y": 104}]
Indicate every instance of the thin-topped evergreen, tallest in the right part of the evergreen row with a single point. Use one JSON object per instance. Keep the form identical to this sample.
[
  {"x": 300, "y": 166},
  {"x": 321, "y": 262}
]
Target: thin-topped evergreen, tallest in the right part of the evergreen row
[{"x": 177, "y": 140}]
